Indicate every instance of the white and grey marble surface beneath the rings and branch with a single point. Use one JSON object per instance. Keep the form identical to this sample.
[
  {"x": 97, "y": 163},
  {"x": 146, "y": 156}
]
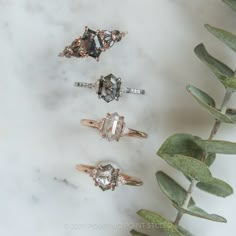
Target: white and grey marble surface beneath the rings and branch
[{"x": 41, "y": 136}]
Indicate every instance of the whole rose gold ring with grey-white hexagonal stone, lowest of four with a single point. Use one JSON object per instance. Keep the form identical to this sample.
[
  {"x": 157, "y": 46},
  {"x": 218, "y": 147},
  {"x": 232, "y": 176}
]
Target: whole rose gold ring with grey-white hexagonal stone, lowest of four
[{"x": 107, "y": 177}]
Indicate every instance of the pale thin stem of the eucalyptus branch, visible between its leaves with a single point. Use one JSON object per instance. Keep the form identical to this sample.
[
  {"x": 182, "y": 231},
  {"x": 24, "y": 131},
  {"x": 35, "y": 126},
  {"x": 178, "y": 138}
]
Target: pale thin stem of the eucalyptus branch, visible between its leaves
[{"x": 214, "y": 130}]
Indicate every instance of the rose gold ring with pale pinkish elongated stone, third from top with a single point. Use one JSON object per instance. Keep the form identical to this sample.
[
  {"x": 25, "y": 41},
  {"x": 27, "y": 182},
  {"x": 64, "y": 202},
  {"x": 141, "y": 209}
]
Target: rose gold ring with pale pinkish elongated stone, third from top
[{"x": 113, "y": 127}]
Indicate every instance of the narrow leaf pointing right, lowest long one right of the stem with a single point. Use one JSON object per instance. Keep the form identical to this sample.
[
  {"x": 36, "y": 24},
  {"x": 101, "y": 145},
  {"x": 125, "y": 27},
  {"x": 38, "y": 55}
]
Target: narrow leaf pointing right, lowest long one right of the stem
[{"x": 198, "y": 212}]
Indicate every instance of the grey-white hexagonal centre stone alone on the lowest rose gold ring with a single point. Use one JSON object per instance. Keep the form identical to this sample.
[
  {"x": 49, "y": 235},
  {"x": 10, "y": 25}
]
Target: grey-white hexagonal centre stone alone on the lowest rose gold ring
[{"x": 106, "y": 177}]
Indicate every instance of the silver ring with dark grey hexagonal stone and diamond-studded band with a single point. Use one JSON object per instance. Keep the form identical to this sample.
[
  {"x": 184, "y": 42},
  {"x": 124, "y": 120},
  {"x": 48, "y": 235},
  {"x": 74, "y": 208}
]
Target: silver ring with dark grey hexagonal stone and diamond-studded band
[{"x": 109, "y": 88}]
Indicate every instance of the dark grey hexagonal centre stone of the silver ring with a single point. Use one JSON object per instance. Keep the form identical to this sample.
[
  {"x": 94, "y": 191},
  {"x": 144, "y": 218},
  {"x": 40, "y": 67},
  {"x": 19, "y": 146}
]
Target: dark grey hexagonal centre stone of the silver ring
[{"x": 109, "y": 88}]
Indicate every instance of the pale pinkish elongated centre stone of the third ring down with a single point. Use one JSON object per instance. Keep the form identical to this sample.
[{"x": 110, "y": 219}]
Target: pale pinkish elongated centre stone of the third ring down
[{"x": 112, "y": 127}]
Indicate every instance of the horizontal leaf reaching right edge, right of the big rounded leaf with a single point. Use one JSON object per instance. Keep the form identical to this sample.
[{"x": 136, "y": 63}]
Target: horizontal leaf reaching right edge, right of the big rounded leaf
[{"x": 217, "y": 146}]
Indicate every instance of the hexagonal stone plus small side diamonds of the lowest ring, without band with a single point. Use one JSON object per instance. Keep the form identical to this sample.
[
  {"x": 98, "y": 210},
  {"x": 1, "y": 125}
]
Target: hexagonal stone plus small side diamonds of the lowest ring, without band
[{"x": 106, "y": 177}]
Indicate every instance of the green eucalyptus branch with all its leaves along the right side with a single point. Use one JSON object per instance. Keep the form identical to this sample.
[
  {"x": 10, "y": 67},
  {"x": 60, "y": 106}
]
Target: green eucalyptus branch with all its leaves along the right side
[{"x": 193, "y": 155}]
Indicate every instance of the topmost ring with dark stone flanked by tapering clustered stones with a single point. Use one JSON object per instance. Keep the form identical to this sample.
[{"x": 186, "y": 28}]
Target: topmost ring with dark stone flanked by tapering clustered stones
[{"x": 92, "y": 43}]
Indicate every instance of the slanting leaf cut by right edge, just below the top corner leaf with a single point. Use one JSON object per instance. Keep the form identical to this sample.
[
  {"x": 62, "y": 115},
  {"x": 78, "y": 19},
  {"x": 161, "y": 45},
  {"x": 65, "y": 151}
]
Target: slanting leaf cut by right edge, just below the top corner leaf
[{"x": 226, "y": 37}]
